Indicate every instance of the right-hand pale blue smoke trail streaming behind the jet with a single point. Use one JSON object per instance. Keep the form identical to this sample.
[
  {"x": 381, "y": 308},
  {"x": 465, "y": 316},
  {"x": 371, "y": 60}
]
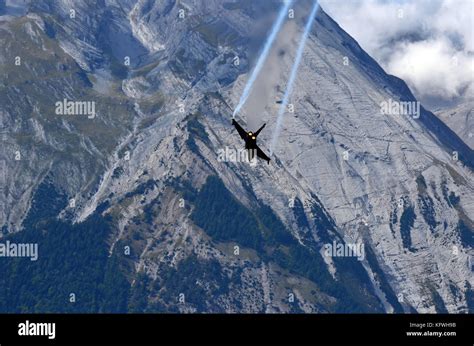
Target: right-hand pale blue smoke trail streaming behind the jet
[{"x": 294, "y": 70}]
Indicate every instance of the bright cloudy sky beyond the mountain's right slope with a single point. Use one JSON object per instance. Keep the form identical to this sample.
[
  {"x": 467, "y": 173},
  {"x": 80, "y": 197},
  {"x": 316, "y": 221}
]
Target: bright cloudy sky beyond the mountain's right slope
[{"x": 427, "y": 43}]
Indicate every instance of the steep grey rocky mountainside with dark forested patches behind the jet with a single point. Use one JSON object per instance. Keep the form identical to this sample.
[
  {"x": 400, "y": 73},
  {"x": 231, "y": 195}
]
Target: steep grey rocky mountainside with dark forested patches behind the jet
[{"x": 188, "y": 232}]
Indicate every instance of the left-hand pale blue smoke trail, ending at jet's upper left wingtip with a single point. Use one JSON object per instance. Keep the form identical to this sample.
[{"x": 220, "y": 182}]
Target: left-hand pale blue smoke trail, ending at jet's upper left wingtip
[{"x": 266, "y": 49}]
